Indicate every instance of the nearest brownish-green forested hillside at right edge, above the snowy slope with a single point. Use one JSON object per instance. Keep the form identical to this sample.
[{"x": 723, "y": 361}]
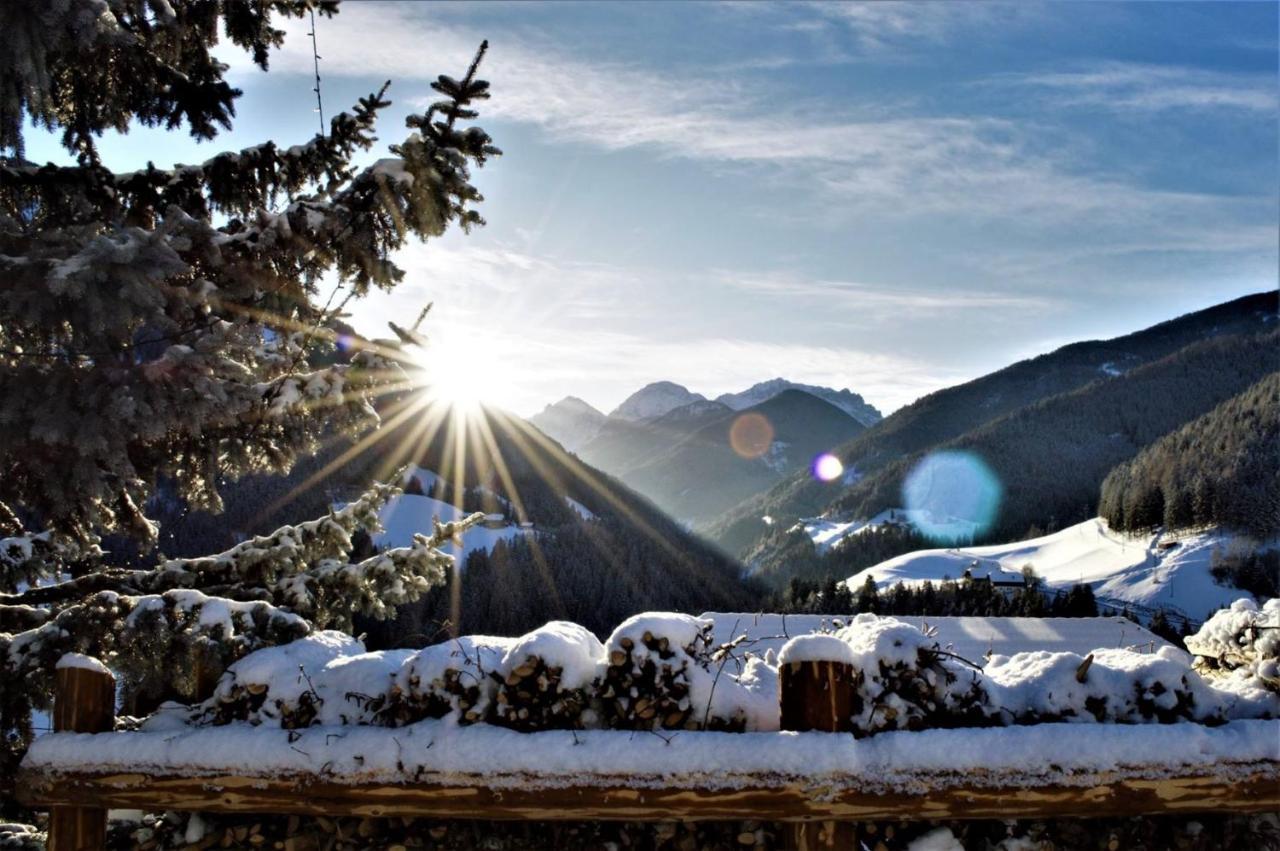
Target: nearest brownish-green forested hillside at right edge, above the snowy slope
[{"x": 1219, "y": 470}]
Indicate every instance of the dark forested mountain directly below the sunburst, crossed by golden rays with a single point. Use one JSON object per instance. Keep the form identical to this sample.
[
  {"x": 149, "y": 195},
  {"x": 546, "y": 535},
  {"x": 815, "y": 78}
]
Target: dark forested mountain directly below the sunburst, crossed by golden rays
[{"x": 573, "y": 543}]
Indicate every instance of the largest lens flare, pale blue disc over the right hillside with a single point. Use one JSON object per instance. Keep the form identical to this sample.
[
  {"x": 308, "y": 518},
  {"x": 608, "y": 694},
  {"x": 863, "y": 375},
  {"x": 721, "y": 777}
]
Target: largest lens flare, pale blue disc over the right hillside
[{"x": 952, "y": 497}]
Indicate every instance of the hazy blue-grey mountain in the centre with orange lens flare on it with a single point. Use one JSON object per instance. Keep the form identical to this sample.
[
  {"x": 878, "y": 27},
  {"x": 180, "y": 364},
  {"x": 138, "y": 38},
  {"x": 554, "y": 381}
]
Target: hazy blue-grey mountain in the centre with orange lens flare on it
[{"x": 714, "y": 469}]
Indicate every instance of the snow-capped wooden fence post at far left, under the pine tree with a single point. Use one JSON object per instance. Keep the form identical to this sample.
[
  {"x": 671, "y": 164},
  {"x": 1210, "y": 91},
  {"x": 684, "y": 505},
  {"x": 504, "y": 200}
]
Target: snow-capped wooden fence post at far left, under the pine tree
[{"x": 84, "y": 703}]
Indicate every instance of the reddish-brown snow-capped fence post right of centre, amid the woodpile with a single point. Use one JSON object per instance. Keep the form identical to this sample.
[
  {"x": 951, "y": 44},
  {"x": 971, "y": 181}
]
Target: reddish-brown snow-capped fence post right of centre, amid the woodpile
[{"x": 817, "y": 697}]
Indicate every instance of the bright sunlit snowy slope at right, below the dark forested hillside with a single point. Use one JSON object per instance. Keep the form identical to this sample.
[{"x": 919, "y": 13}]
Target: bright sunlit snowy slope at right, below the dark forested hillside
[{"x": 1121, "y": 569}]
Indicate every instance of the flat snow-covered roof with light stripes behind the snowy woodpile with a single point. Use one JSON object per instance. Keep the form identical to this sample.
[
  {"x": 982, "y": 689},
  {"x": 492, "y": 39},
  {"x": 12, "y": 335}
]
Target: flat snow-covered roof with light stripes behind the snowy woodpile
[{"x": 975, "y": 639}]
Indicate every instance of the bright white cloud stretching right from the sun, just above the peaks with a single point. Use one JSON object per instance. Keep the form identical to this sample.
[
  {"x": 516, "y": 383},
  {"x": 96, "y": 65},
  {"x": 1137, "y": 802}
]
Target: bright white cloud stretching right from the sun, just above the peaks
[{"x": 560, "y": 327}]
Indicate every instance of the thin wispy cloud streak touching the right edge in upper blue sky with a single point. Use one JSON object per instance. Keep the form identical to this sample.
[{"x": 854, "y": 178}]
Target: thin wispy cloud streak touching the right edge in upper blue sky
[{"x": 1128, "y": 88}]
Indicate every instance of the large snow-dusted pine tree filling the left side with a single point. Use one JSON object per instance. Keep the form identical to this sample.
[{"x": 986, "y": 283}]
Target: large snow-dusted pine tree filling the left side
[{"x": 158, "y": 326}]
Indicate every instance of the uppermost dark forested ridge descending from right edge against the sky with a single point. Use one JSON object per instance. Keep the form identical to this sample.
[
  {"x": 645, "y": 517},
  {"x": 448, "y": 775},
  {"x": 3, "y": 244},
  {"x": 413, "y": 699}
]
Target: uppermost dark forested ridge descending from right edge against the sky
[{"x": 956, "y": 411}]
